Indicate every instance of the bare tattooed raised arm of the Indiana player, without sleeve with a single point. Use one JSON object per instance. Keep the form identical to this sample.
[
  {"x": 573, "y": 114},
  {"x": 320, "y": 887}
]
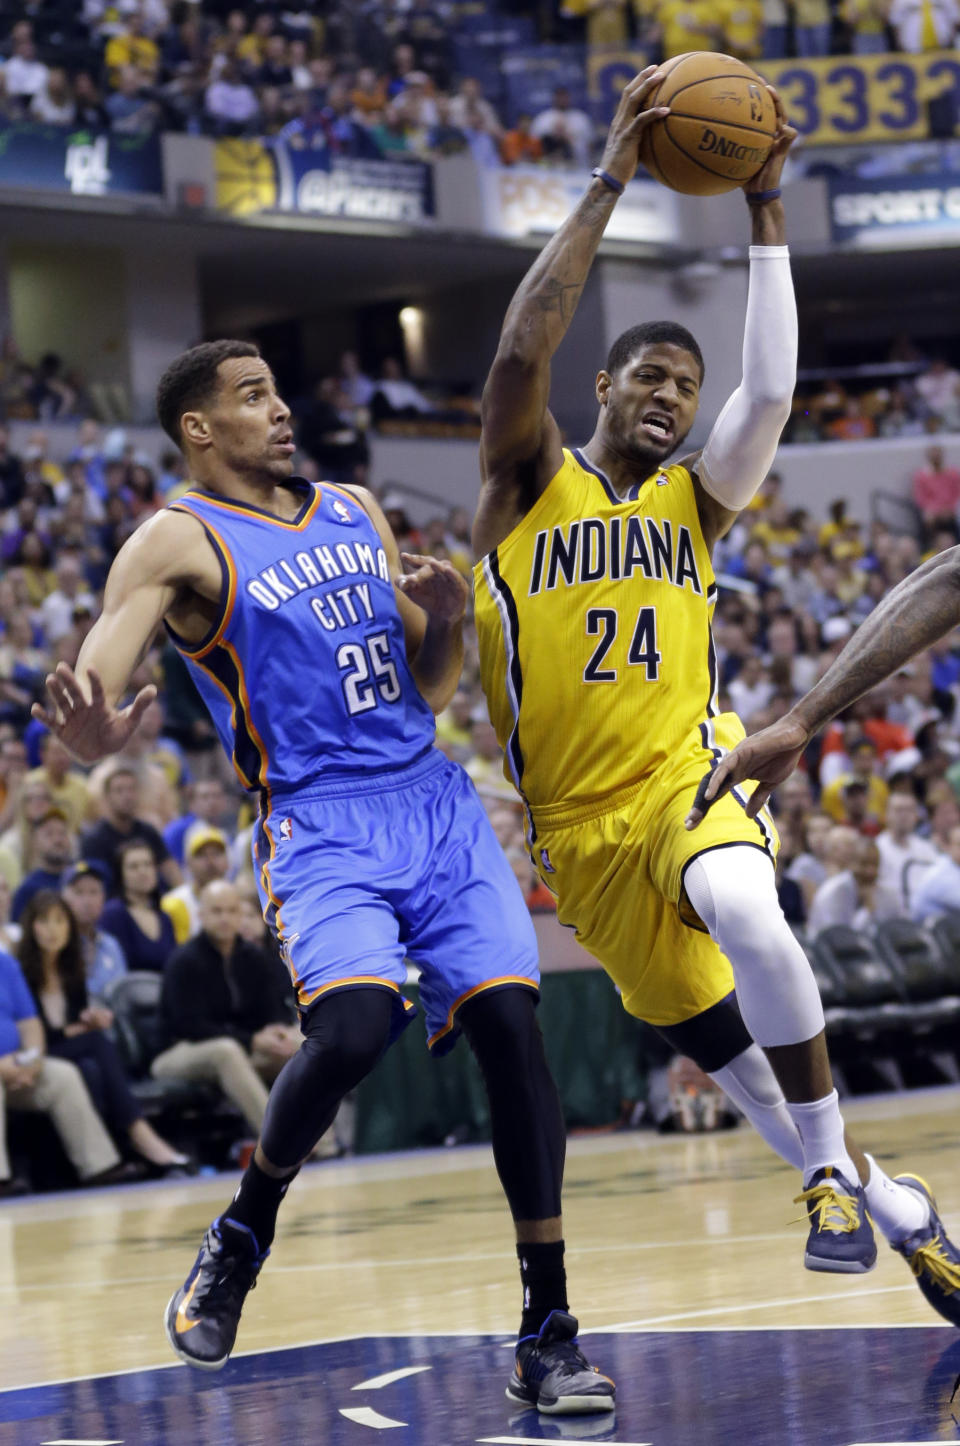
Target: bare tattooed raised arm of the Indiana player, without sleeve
[{"x": 521, "y": 442}]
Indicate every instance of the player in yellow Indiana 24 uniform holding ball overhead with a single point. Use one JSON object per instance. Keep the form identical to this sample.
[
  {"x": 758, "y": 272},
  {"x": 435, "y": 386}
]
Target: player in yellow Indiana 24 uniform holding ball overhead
[{"x": 593, "y": 598}]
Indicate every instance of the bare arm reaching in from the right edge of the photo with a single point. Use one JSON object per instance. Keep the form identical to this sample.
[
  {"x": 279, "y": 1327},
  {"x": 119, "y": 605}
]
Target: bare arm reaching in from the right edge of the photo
[{"x": 914, "y": 615}]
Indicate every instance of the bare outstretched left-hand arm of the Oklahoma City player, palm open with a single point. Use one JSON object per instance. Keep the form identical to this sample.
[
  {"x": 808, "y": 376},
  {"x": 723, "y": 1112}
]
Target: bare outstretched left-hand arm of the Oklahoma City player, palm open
[{"x": 144, "y": 585}]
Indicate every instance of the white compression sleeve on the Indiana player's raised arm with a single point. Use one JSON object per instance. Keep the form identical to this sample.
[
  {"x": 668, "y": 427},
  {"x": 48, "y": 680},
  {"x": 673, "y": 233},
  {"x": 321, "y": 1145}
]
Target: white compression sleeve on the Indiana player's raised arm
[{"x": 744, "y": 442}]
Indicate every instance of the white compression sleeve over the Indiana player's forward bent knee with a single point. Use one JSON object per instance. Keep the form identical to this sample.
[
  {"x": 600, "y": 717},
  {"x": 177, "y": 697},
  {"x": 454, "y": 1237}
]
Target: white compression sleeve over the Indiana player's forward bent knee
[{"x": 735, "y": 894}]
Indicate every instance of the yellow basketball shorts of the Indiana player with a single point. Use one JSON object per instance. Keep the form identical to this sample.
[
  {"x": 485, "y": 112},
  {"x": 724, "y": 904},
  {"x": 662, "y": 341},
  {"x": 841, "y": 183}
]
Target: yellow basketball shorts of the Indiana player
[{"x": 618, "y": 873}]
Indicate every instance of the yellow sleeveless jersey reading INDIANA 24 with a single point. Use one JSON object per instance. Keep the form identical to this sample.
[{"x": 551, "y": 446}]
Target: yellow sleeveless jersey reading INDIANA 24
[{"x": 593, "y": 621}]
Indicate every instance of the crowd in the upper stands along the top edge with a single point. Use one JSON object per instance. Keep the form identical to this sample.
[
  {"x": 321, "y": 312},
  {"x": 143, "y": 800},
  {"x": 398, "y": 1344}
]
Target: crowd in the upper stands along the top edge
[{"x": 385, "y": 79}]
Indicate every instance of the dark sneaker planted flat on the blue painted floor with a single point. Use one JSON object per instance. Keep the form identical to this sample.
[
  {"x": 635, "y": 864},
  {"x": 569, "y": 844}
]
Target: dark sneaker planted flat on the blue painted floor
[{"x": 553, "y": 1374}]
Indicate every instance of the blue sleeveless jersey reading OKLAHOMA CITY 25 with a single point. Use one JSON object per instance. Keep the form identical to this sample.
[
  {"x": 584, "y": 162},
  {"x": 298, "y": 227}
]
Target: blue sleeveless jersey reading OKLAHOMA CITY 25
[{"x": 306, "y": 670}]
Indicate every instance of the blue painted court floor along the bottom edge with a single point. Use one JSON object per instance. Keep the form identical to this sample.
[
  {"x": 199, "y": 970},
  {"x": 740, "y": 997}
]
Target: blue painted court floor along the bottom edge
[{"x": 679, "y": 1389}]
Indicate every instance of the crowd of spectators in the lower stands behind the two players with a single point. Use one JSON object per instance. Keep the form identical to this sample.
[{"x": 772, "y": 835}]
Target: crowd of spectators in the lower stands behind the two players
[{"x": 144, "y": 863}]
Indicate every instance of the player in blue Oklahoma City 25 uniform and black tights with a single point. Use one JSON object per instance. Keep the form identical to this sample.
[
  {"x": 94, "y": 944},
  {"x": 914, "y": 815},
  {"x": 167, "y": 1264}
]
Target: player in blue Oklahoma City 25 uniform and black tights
[{"x": 323, "y": 666}]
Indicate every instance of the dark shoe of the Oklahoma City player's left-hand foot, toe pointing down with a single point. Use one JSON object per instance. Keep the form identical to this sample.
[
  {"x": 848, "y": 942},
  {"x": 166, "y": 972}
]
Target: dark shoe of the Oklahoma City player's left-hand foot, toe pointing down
[{"x": 203, "y": 1317}]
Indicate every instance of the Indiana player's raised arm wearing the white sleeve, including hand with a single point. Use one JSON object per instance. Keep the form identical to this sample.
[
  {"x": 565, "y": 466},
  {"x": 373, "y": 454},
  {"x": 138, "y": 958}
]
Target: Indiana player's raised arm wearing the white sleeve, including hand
[{"x": 747, "y": 435}]
